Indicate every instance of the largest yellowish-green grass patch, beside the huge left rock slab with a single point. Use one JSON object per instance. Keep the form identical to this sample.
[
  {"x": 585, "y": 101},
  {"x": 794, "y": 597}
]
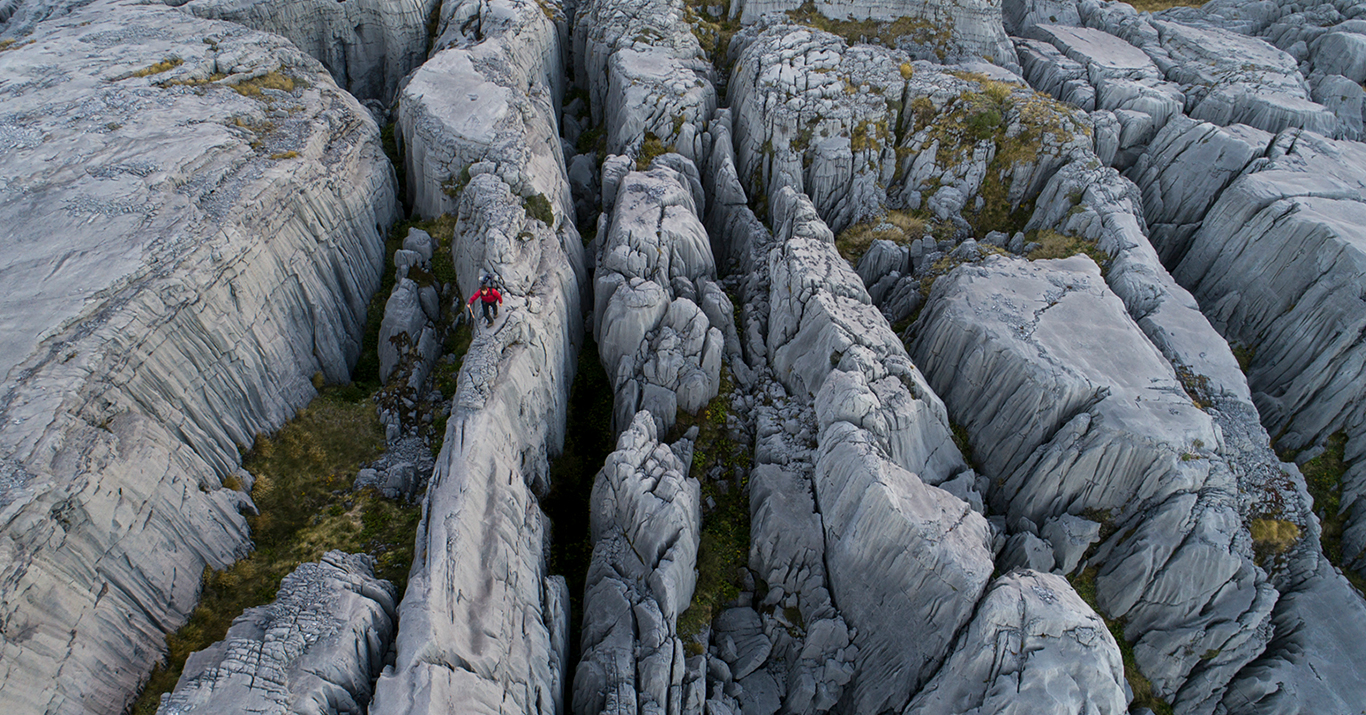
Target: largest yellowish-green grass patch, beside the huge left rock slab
[{"x": 303, "y": 478}]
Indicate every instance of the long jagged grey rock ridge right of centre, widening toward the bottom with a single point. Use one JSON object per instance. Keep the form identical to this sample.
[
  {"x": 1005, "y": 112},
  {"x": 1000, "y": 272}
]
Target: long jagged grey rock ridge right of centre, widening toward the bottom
[{"x": 883, "y": 441}]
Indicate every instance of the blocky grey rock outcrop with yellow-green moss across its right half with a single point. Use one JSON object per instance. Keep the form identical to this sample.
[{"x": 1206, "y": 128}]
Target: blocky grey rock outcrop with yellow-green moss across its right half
[{"x": 875, "y": 132}]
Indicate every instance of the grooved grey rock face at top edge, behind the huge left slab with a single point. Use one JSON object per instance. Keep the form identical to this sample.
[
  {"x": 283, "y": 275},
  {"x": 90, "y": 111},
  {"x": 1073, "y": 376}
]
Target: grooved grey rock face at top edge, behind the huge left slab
[{"x": 368, "y": 46}]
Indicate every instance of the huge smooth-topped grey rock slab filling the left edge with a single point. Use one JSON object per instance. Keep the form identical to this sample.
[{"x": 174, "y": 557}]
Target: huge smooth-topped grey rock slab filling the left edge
[{"x": 197, "y": 218}]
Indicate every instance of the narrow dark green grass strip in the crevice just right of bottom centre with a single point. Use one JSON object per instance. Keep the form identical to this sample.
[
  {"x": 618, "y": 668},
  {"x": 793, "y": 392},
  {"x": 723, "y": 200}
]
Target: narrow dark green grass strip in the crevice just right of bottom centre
[{"x": 725, "y": 546}]
